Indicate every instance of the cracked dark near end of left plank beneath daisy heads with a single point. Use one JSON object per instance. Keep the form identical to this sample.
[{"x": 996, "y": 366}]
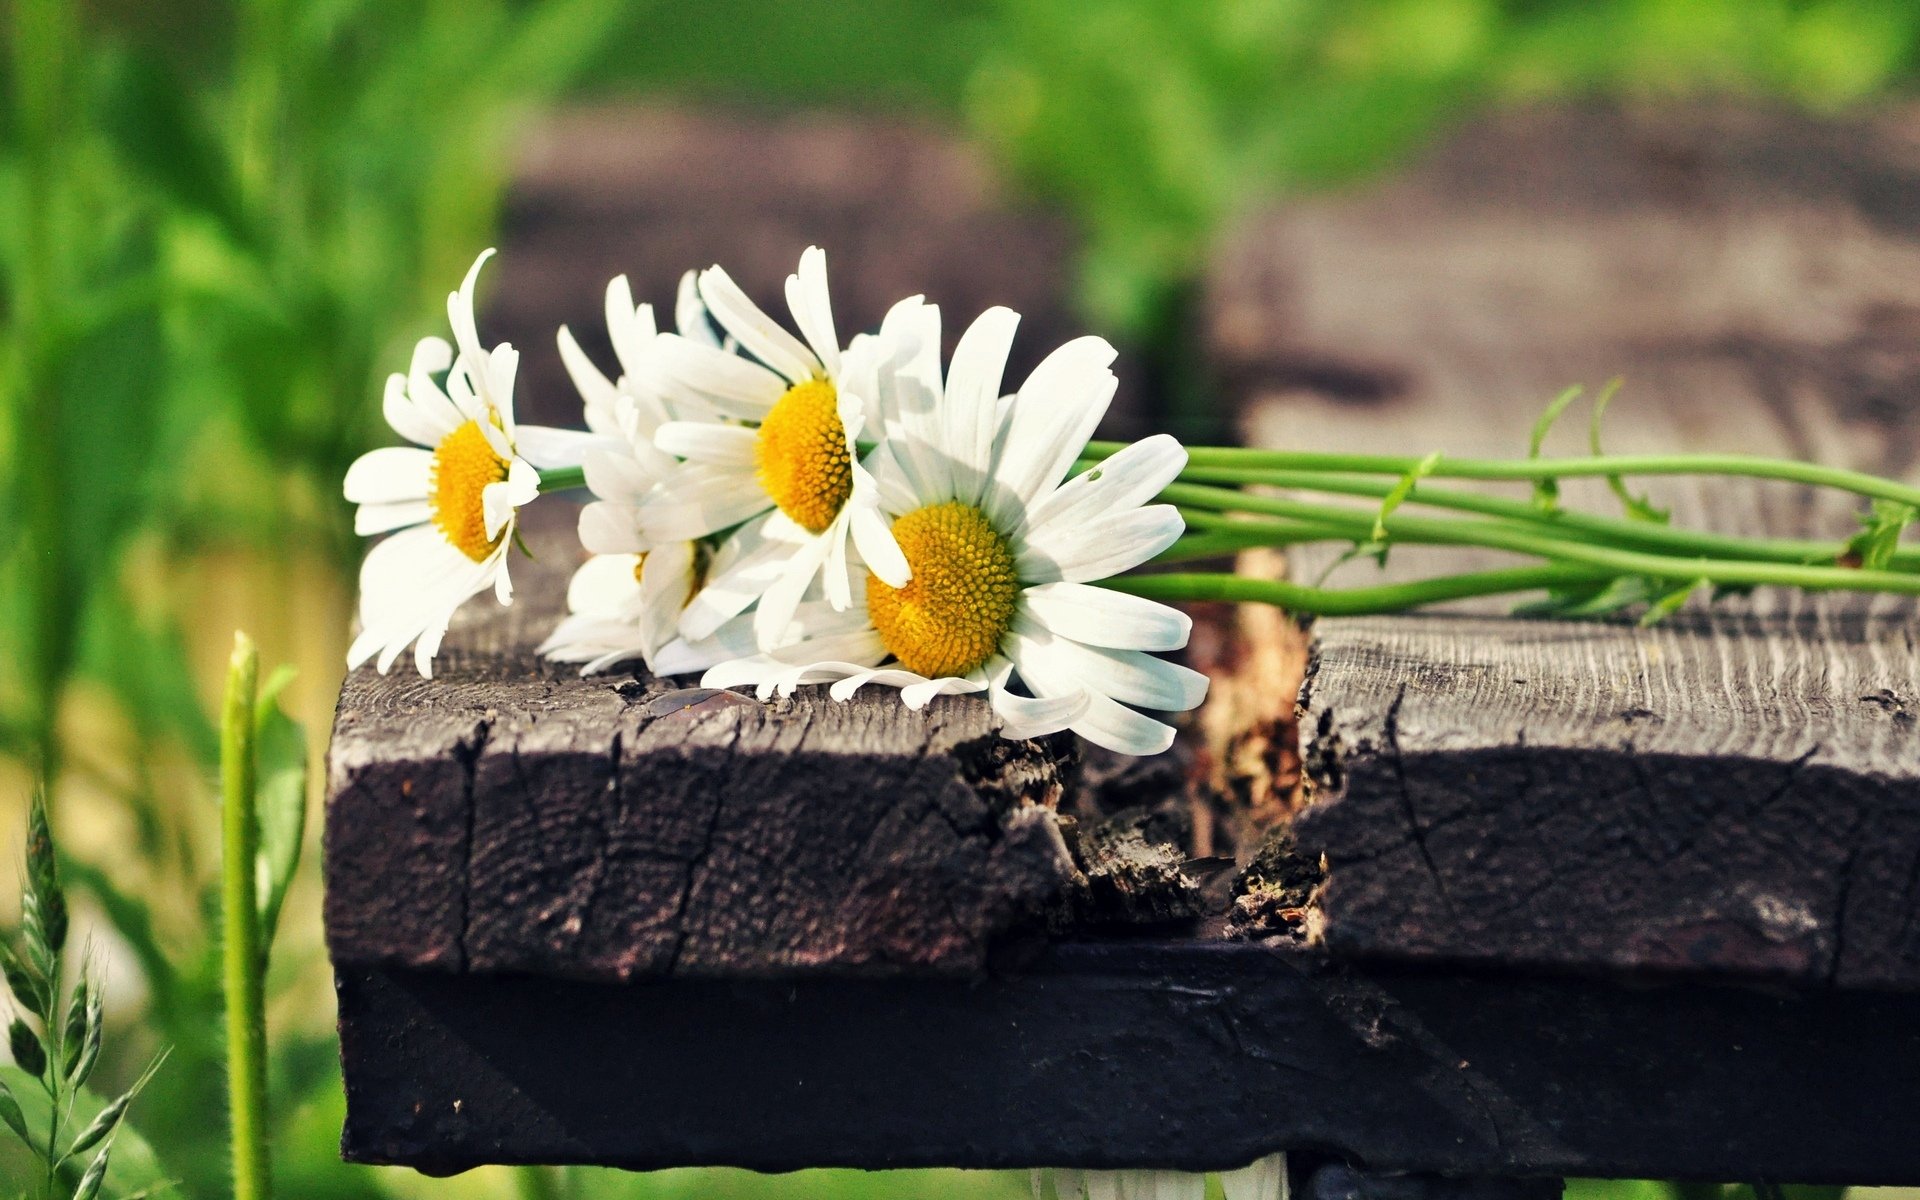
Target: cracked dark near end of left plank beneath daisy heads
[{"x": 512, "y": 817}]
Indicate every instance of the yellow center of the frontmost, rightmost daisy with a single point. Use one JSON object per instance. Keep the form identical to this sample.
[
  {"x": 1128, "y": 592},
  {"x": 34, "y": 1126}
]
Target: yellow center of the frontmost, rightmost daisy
[{"x": 959, "y": 606}]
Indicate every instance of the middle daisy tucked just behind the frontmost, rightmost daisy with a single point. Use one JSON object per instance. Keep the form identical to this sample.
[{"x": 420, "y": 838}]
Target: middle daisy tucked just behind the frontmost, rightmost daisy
[{"x": 780, "y": 454}]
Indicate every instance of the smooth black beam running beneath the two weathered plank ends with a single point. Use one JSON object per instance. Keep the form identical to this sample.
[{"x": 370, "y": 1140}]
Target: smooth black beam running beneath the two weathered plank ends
[{"x": 1138, "y": 1055}]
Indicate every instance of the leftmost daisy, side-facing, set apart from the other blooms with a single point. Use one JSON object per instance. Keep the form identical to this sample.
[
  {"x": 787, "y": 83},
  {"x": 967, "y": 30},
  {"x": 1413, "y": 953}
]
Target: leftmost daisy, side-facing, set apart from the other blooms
[{"x": 452, "y": 496}]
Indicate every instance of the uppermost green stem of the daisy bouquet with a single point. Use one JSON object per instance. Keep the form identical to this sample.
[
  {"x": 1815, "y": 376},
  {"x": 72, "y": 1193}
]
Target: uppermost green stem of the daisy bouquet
[{"x": 1548, "y": 469}]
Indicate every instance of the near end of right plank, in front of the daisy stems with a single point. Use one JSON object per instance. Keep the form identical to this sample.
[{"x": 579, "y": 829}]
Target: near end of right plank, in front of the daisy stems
[{"x": 1717, "y": 794}]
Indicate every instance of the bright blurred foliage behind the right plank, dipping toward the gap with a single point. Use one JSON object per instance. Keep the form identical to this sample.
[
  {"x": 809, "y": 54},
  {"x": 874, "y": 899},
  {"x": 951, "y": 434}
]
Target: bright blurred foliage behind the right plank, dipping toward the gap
[{"x": 1159, "y": 122}]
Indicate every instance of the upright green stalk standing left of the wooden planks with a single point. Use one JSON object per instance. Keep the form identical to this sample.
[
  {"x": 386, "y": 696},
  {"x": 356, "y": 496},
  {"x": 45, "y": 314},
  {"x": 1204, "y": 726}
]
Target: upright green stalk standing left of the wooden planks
[{"x": 243, "y": 961}]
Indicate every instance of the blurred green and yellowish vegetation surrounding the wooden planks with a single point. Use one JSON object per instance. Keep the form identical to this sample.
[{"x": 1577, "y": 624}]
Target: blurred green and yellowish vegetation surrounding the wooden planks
[{"x": 224, "y": 222}]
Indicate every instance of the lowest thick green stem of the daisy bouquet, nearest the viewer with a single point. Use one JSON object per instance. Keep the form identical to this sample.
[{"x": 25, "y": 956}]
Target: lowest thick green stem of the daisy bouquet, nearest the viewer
[{"x": 1353, "y": 602}]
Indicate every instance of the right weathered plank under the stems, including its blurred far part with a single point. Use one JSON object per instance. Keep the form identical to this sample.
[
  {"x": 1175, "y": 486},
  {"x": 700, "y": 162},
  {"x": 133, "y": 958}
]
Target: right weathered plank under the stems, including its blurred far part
[{"x": 1735, "y": 792}]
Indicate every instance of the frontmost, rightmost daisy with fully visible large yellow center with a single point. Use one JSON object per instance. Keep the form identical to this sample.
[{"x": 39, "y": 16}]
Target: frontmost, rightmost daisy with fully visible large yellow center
[{"x": 1003, "y": 552}]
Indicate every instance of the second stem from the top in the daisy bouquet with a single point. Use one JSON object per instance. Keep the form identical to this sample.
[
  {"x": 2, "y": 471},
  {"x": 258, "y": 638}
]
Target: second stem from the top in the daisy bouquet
[{"x": 1635, "y": 535}]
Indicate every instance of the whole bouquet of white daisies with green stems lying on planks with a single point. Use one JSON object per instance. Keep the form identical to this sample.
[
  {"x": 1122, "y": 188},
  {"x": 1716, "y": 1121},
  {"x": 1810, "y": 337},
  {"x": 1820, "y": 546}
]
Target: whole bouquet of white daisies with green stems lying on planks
[{"x": 782, "y": 510}]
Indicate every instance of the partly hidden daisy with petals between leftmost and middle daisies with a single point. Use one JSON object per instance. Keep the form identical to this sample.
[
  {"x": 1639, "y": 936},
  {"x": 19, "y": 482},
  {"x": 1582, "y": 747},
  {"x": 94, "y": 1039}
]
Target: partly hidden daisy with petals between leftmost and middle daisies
[{"x": 627, "y": 598}]
